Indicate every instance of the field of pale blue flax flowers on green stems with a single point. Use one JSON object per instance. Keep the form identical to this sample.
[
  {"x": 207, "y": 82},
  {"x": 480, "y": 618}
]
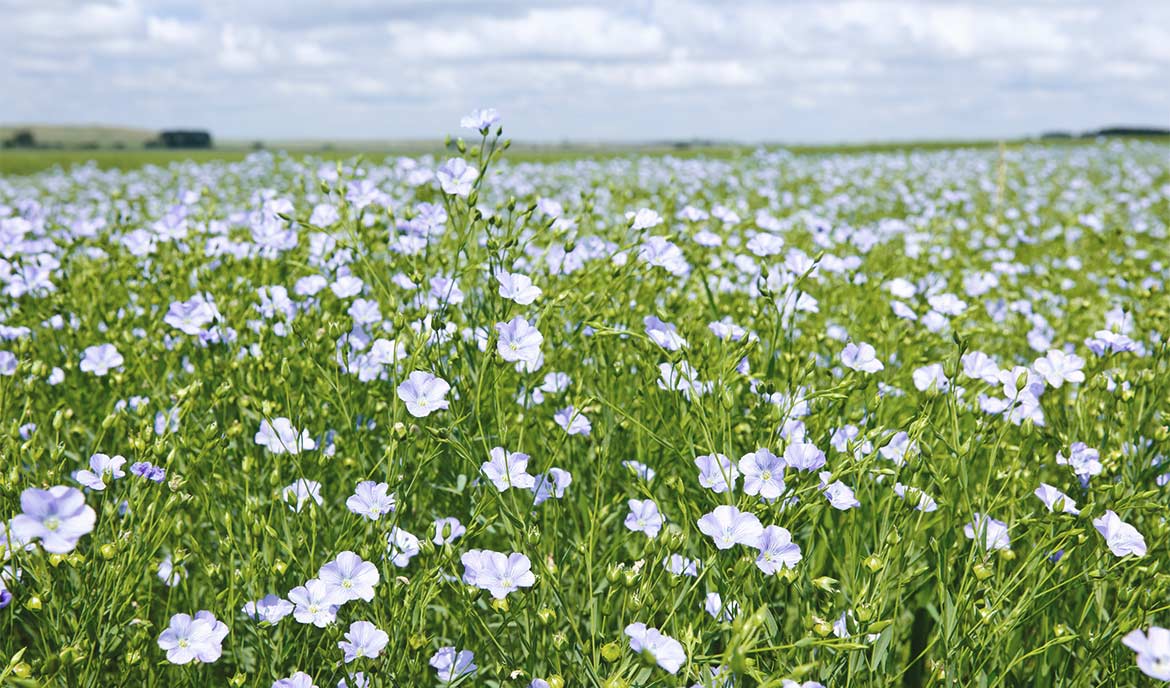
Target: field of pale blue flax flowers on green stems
[{"x": 766, "y": 421}]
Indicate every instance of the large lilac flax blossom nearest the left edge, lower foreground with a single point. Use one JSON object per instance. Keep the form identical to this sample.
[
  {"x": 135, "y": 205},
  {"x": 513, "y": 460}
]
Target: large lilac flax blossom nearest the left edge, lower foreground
[{"x": 58, "y": 517}]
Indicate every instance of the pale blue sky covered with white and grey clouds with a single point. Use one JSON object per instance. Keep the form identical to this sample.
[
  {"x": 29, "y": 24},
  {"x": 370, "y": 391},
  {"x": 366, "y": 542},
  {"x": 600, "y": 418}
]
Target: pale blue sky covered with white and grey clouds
[{"x": 622, "y": 71}]
